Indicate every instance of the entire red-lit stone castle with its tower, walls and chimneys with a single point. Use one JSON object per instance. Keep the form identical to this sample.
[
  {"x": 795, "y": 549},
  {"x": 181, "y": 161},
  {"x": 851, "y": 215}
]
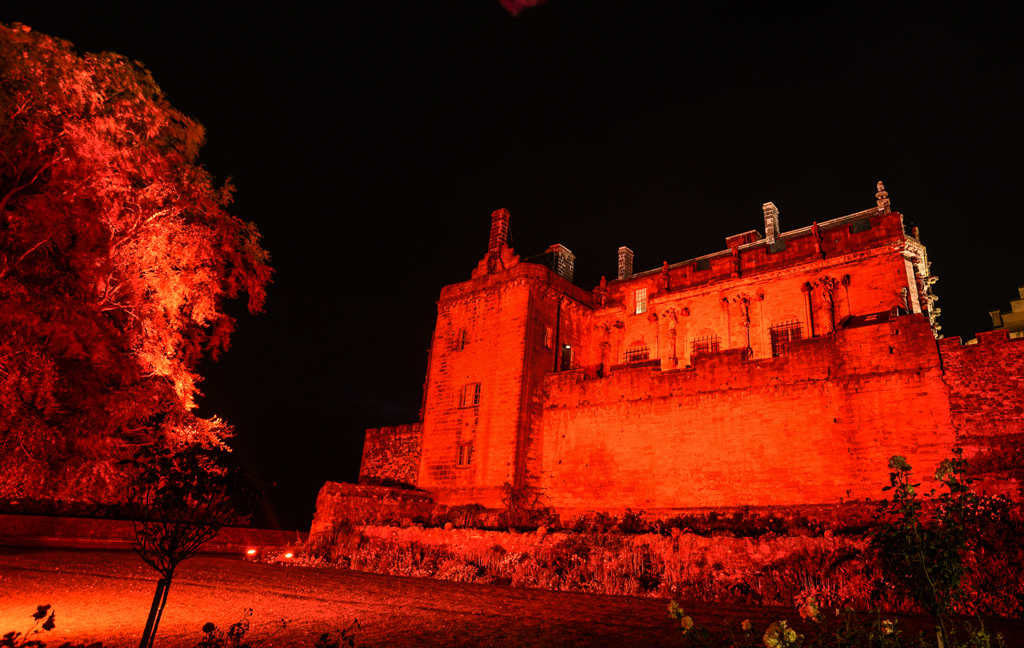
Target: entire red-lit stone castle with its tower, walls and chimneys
[{"x": 784, "y": 370}]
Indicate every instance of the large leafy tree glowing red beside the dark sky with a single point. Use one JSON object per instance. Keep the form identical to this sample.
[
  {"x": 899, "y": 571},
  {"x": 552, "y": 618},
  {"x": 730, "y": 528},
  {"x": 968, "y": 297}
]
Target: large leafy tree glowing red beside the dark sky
[{"x": 117, "y": 255}]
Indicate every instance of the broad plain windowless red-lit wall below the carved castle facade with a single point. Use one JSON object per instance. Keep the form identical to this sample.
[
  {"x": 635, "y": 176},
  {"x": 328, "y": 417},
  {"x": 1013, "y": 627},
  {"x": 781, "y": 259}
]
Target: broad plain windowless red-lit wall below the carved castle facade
[{"x": 818, "y": 426}]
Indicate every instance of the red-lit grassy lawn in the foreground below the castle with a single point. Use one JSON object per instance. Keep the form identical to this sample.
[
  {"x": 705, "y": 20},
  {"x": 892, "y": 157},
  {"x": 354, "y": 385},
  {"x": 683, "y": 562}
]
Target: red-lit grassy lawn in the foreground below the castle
[{"x": 106, "y": 596}]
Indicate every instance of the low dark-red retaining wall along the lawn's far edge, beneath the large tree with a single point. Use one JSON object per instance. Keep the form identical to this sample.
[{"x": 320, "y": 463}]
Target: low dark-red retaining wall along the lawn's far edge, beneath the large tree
[{"x": 38, "y": 531}]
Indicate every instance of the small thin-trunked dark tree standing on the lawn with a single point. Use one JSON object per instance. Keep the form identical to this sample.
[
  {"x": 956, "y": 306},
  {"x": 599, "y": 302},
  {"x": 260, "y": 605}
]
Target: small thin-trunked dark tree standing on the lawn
[{"x": 180, "y": 499}]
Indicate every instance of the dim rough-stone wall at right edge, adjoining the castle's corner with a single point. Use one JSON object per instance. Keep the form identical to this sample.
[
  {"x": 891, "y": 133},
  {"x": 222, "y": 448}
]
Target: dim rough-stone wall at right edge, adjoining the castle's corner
[{"x": 987, "y": 390}]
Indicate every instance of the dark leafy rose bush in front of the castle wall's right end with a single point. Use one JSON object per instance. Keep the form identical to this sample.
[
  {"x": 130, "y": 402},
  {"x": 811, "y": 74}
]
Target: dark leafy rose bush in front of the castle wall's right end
[{"x": 928, "y": 552}]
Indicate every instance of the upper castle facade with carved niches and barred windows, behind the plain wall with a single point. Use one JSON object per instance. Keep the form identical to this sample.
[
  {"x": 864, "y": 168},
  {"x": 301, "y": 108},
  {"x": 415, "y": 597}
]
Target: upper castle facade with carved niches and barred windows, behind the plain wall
[{"x": 858, "y": 274}]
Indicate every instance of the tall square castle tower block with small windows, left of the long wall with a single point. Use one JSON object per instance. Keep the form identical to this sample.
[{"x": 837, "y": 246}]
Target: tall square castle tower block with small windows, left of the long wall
[{"x": 503, "y": 331}]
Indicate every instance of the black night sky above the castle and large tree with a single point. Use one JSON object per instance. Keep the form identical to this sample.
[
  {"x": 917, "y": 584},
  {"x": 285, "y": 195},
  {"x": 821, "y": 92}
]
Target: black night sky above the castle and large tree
[{"x": 371, "y": 141}]
